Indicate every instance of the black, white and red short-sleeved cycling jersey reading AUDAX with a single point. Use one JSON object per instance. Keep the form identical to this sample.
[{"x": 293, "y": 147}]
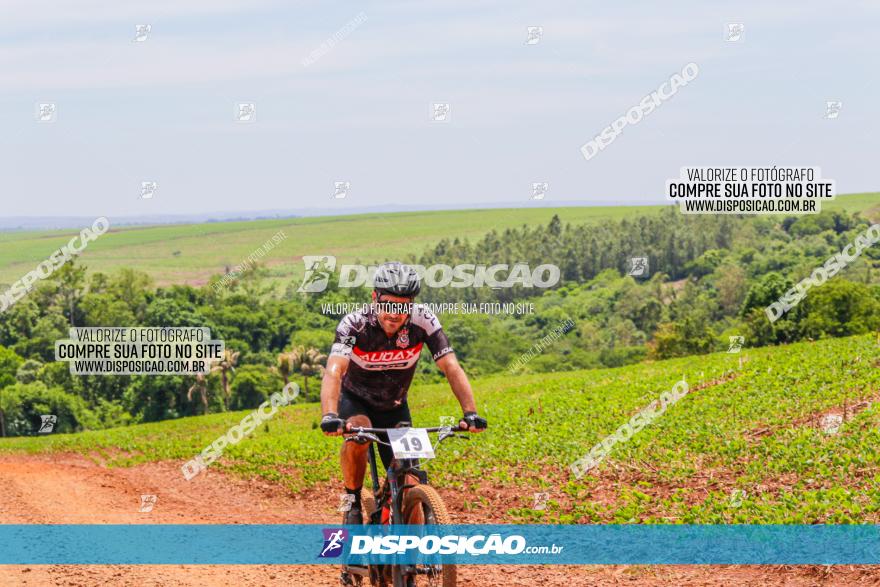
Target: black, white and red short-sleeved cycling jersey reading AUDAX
[{"x": 381, "y": 368}]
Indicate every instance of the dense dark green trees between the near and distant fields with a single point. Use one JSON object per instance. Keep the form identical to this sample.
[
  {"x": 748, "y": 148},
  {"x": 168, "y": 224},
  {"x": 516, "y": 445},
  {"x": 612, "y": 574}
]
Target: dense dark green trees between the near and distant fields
[{"x": 707, "y": 279}]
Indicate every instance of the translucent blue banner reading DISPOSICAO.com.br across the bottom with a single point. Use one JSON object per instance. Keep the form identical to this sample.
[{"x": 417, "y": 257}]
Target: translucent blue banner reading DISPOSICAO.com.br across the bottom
[{"x": 453, "y": 544}]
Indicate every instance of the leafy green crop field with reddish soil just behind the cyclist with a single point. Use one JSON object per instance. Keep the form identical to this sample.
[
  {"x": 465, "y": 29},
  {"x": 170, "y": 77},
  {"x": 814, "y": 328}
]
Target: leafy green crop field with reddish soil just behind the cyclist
[{"x": 751, "y": 423}]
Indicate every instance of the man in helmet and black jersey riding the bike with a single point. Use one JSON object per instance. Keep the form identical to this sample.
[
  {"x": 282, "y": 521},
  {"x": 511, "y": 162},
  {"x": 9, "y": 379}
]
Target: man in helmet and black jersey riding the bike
[{"x": 371, "y": 365}]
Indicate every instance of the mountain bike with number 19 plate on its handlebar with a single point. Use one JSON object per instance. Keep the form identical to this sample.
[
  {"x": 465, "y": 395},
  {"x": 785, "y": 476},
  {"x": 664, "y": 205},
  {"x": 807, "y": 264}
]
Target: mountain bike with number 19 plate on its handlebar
[{"x": 404, "y": 497}]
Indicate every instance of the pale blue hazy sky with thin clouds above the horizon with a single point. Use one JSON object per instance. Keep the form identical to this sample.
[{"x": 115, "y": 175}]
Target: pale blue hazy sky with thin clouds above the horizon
[{"x": 345, "y": 92}]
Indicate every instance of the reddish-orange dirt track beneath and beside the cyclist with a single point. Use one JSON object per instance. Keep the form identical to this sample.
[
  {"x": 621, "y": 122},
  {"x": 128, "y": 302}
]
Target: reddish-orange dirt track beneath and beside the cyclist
[{"x": 71, "y": 489}]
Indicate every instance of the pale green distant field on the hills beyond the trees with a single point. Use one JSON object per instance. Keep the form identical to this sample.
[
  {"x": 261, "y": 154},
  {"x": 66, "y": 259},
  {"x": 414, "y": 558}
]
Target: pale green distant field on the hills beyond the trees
[{"x": 191, "y": 253}]
